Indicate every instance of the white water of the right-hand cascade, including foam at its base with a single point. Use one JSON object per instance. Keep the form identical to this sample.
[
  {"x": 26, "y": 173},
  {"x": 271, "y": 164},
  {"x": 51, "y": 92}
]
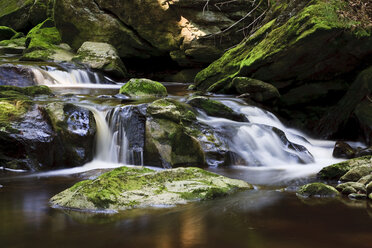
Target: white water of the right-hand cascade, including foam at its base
[{"x": 263, "y": 149}]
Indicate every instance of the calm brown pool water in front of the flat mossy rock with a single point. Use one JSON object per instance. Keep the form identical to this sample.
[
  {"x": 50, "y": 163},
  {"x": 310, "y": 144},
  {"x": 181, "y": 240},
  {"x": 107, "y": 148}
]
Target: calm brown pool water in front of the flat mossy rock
[{"x": 258, "y": 218}]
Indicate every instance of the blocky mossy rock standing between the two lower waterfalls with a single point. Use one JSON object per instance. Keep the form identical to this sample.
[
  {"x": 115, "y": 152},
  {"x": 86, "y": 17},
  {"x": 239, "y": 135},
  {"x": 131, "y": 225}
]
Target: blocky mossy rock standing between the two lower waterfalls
[{"x": 170, "y": 140}]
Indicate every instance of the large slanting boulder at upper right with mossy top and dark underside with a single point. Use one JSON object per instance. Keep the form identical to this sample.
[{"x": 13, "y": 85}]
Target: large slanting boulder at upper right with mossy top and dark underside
[{"x": 300, "y": 44}]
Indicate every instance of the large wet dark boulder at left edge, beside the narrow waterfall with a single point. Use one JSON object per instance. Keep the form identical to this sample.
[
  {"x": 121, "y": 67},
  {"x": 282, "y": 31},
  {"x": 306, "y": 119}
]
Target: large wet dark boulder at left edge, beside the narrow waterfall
[{"x": 37, "y": 136}]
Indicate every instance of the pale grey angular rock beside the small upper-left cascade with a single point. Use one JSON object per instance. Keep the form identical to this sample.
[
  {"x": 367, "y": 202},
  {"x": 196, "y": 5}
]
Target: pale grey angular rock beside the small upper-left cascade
[{"x": 101, "y": 56}]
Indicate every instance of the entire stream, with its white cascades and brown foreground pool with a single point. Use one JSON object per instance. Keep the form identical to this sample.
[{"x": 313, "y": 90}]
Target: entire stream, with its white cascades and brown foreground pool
[{"x": 268, "y": 155}]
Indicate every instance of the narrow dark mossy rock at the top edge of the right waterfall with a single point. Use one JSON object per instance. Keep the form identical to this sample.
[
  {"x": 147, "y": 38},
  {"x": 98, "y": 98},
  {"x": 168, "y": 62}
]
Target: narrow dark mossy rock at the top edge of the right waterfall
[{"x": 215, "y": 108}]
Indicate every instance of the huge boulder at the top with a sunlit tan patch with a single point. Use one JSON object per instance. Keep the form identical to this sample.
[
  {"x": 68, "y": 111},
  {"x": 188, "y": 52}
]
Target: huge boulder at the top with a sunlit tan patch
[{"x": 188, "y": 32}]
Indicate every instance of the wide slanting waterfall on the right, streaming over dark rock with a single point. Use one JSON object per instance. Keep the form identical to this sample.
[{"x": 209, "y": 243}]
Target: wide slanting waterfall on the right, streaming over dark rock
[{"x": 265, "y": 141}]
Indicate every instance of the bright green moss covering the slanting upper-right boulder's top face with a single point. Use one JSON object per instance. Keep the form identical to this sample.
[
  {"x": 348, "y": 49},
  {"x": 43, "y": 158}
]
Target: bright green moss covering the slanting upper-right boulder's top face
[{"x": 275, "y": 38}]
